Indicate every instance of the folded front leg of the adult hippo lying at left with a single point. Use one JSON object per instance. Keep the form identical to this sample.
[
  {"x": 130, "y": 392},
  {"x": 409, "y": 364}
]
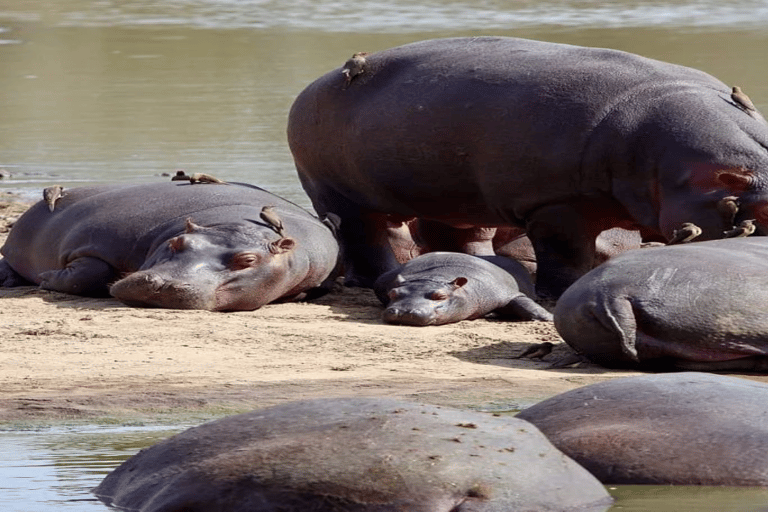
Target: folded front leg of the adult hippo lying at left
[{"x": 82, "y": 276}]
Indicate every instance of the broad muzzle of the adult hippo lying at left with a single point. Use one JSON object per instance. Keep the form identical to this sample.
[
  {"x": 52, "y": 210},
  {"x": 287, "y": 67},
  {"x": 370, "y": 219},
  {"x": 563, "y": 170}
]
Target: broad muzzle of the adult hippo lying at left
[{"x": 143, "y": 289}]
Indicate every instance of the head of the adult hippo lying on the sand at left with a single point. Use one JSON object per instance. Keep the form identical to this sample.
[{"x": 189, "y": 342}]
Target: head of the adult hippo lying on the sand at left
[{"x": 225, "y": 267}]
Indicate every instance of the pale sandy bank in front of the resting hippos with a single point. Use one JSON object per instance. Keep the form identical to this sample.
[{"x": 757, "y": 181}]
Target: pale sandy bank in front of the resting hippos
[{"x": 65, "y": 358}]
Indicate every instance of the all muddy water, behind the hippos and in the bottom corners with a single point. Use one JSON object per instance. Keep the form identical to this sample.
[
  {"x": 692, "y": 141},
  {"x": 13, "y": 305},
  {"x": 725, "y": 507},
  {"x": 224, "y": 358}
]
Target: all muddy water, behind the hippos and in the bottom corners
[{"x": 118, "y": 90}]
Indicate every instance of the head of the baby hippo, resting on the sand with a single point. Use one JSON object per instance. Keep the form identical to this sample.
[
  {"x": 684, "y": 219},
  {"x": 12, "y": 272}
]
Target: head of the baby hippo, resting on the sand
[{"x": 427, "y": 302}]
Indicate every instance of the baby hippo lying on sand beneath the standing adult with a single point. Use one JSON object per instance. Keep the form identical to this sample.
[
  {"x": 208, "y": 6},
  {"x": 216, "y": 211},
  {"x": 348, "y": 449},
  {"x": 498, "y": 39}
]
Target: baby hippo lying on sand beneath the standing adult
[{"x": 444, "y": 287}]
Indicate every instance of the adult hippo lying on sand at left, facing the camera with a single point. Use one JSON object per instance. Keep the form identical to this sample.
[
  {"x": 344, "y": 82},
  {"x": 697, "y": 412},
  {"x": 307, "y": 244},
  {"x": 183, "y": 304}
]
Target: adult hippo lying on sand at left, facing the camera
[{"x": 136, "y": 242}]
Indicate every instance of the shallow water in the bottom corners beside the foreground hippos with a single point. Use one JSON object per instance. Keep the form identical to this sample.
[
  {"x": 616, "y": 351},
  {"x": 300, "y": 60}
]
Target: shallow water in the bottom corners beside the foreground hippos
[{"x": 53, "y": 469}]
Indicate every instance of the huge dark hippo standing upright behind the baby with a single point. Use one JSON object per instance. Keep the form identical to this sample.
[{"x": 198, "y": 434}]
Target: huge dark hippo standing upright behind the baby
[{"x": 561, "y": 140}]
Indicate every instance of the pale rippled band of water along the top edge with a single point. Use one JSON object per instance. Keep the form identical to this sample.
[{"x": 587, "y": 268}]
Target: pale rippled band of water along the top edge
[{"x": 402, "y": 16}]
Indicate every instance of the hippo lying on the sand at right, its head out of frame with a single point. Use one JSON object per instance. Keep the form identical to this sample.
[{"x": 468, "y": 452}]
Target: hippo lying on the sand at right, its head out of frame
[{"x": 696, "y": 306}]
